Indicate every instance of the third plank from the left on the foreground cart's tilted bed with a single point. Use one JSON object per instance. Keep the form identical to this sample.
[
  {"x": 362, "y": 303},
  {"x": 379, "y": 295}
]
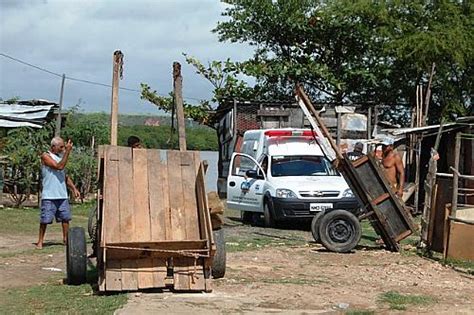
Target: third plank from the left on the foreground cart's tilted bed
[{"x": 141, "y": 204}]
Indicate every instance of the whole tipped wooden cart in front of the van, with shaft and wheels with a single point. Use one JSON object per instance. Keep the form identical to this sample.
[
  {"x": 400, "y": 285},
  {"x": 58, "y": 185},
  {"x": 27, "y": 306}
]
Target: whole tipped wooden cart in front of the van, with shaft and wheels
[{"x": 380, "y": 205}]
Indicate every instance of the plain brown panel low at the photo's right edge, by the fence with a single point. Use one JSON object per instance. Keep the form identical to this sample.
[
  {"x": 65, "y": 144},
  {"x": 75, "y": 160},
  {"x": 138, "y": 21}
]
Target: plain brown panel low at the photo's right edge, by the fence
[{"x": 461, "y": 245}]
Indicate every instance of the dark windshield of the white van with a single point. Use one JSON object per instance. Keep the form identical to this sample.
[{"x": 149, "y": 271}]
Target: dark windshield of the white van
[{"x": 303, "y": 165}]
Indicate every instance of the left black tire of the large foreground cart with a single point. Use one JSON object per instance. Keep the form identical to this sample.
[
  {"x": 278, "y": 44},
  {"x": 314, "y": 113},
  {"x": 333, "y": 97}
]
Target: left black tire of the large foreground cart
[{"x": 76, "y": 256}]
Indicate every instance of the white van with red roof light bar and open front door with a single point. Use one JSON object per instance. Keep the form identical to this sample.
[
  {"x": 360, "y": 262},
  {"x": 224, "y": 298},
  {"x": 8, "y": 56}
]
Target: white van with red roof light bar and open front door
[{"x": 283, "y": 174}]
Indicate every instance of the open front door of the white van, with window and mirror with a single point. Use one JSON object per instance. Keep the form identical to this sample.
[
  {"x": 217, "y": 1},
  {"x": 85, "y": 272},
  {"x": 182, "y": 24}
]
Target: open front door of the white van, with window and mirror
[{"x": 245, "y": 184}]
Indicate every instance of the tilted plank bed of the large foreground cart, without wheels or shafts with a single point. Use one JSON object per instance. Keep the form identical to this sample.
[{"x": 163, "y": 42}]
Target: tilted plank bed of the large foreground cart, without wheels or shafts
[{"x": 154, "y": 217}]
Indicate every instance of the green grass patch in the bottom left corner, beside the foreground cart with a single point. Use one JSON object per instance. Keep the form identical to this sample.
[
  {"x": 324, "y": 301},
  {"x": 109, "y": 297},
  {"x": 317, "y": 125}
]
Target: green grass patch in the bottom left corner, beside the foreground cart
[{"x": 54, "y": 298}]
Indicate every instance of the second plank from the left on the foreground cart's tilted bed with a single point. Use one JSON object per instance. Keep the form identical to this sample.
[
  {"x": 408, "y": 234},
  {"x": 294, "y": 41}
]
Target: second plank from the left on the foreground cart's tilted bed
[{"x": 127, "y": 220}]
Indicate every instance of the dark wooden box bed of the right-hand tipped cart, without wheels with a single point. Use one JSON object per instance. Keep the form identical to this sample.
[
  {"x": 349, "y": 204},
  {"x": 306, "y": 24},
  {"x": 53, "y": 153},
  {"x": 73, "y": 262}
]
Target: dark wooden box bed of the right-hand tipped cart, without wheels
[{"x": 384, "y": 209}]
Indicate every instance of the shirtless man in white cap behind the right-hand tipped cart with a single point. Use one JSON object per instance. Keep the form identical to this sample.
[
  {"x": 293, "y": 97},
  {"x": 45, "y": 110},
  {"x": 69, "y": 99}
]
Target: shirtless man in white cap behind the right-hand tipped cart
[{"x": 393, "y": 165}]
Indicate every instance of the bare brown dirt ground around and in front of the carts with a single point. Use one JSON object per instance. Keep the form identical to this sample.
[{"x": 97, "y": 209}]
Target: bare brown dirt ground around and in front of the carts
[{"x": 276, "y": 271}]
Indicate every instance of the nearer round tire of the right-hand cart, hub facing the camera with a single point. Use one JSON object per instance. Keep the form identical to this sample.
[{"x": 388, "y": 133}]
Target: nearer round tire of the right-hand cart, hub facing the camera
[{"x": 339, "y": 231}]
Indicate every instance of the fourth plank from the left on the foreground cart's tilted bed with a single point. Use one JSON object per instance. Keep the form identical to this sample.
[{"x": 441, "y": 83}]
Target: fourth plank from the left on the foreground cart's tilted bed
[{"x": 156, "y": 196}]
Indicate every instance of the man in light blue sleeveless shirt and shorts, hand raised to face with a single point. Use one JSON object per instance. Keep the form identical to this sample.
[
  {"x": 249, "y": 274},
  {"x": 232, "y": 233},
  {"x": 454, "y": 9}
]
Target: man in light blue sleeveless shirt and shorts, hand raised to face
[{"x": 54, "y": 196}]
